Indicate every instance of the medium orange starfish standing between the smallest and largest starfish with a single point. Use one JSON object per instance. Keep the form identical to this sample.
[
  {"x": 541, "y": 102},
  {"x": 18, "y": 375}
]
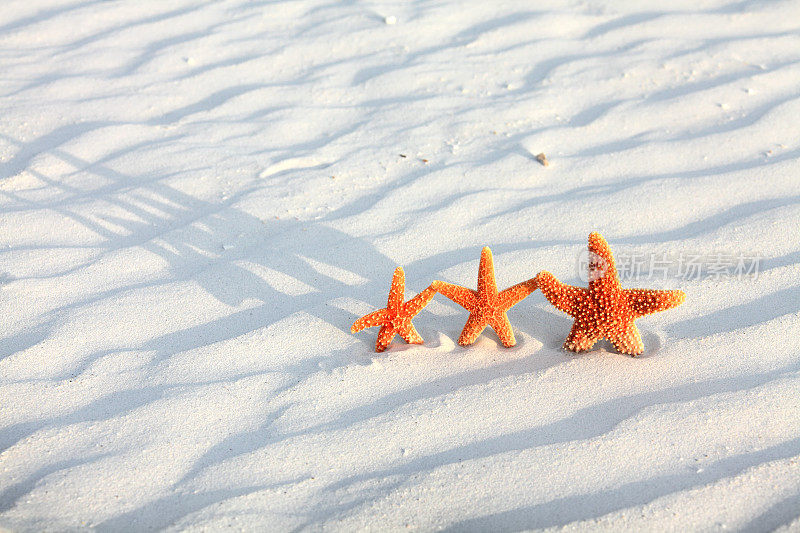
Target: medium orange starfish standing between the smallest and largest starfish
[{"x": 486, "y": 306}]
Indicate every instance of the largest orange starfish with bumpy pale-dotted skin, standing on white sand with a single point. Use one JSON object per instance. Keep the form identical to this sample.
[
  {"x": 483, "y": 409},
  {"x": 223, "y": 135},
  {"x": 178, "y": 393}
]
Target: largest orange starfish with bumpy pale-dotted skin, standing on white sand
[{"x": 605, "y": 309}]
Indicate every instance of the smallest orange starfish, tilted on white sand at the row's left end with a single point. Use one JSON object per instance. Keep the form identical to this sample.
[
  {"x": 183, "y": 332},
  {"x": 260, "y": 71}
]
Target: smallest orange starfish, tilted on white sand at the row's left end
[{"x": 396, "y": 317}]
